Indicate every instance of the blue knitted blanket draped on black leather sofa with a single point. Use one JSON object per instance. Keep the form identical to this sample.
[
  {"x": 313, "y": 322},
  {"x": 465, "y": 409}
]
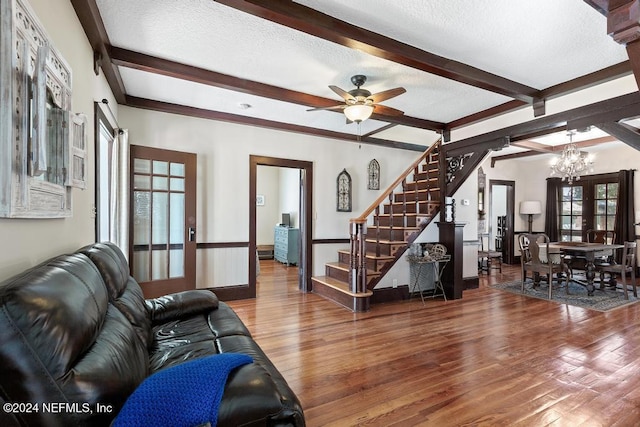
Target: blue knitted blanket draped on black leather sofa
[{"x": 188, "y": 394}]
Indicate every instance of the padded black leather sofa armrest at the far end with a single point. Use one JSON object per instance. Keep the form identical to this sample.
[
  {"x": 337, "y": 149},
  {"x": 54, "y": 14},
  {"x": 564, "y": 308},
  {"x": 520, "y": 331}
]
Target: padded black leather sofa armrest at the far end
[{"x": 181, "y": 304}]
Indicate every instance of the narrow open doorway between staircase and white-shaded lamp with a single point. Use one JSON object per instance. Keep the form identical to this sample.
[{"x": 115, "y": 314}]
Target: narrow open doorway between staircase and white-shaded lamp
[{"x": 501, "y": 218}]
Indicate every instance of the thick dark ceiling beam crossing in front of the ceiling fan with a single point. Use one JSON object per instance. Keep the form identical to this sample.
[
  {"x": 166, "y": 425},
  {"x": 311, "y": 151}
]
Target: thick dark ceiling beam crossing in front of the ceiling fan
[{"x": 310, "y": 21}]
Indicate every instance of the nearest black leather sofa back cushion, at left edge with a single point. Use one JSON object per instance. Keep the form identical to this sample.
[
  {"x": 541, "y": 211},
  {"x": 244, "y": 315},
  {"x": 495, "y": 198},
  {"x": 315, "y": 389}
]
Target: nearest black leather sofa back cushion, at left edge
[{"x": 61, "y": 341}]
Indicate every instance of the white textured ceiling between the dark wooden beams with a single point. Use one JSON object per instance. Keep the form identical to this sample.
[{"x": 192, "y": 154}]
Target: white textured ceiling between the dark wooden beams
[{"x": 537, "y": 43}]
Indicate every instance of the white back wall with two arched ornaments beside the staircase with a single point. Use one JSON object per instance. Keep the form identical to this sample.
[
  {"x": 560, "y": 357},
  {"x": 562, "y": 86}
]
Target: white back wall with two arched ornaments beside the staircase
[{"x": 223, "y": 151}]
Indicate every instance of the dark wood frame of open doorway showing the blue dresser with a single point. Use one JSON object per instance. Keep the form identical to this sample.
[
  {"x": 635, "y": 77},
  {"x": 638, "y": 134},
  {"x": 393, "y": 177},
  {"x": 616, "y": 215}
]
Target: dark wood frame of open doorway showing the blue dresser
[{"x": 306, "y": 207}]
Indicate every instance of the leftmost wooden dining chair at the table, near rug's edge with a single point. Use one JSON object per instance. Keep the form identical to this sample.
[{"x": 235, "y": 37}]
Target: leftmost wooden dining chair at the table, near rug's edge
[{"x": 542, "y": 261}]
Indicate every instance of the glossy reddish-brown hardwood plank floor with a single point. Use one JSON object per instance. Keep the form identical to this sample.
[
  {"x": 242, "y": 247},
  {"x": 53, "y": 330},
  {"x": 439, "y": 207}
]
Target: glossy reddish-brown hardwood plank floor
[{"x": 489, "y": 359}]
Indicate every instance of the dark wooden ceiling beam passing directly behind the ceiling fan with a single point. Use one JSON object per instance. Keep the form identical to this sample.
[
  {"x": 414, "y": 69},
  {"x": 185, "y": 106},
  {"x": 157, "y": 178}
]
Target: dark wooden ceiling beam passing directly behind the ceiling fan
[{"x": 151, "y": 64}]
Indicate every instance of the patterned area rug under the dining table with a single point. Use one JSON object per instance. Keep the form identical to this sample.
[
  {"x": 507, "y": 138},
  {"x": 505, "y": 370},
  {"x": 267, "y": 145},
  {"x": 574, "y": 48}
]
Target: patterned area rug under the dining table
[{"x": 602, "y": 300}]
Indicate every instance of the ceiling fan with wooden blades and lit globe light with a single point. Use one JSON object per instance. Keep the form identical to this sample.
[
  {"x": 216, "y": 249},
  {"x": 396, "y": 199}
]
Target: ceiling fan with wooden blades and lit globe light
[{"x": 360, "y": 103}]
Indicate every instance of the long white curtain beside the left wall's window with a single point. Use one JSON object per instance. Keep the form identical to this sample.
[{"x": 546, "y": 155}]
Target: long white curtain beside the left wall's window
[{"x": 119, "y": 191}]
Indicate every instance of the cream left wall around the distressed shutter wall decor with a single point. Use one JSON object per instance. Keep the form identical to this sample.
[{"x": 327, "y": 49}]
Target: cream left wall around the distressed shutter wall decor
[{"x": 28, "y": 242}]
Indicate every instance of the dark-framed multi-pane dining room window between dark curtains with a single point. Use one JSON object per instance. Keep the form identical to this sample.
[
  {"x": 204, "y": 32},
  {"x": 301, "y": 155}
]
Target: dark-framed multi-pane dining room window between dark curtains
[{"x": 588, "y": 204}]
